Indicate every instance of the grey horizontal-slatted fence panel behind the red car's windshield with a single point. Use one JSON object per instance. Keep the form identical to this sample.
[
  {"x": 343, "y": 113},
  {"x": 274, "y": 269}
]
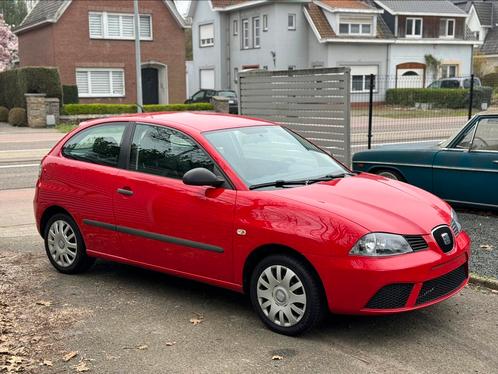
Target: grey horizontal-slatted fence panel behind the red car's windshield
[{"x": 312, "y": 102}]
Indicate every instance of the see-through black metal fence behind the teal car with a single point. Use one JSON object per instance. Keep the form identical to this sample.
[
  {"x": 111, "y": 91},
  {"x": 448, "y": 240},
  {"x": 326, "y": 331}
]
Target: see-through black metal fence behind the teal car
[{"x": 412, "y": 109}]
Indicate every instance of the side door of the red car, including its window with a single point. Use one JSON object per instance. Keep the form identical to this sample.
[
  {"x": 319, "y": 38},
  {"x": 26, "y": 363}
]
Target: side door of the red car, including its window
[{"x": 166, "y": 224}]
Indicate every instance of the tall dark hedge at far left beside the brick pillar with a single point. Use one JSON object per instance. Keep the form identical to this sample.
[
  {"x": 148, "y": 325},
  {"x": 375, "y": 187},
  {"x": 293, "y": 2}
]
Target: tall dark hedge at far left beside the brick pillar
[{"x": 15, "y": 83}]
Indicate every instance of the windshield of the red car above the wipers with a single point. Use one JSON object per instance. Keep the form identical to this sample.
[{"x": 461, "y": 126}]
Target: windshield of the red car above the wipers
[{"x": 265, "y": 154}]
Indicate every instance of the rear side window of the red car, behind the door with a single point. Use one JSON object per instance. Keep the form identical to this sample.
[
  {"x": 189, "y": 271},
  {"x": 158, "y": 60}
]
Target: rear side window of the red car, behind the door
[{"x": 99, "y": 144}]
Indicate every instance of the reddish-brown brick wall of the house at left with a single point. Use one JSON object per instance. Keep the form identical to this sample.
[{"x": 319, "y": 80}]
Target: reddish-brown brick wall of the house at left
[{"x": 73, "y": 48}]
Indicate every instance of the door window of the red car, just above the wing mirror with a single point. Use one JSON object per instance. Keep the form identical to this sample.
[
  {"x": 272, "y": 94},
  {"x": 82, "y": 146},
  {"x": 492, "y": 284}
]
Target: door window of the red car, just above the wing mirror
[{"x": 162, "y": 151}]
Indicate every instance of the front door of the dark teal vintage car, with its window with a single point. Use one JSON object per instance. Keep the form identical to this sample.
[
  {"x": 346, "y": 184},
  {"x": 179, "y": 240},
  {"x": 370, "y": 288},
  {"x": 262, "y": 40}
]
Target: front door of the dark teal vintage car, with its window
[{"x": 467, "y": 171}]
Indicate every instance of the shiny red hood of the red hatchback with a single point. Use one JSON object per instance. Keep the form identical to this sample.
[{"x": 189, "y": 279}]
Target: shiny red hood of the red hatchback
[{"x": 376, "y": 203}]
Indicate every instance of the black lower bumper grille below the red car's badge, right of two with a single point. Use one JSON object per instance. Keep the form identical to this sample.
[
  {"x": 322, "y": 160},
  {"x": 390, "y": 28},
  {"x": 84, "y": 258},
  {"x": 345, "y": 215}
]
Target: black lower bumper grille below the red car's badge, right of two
[{"x": 439, "y": 287}]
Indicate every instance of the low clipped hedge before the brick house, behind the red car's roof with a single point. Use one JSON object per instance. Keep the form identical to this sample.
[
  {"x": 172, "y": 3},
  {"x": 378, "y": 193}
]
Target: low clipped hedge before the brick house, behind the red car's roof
[{"x": 77, "y": 109}]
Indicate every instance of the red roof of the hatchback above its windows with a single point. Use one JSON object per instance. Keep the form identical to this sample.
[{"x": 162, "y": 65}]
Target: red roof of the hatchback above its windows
[{"x": 197, "y": 121}]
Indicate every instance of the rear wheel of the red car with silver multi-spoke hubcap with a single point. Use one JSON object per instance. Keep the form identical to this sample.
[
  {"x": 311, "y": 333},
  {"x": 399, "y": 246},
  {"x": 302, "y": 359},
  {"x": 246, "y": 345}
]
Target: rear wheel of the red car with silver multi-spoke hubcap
[{"x": 67, "y": 253}]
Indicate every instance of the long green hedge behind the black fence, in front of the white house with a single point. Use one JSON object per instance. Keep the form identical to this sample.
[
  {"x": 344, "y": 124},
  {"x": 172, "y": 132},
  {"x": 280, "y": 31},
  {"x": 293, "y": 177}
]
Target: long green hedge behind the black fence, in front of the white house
[{"x": 452, "y": 98}]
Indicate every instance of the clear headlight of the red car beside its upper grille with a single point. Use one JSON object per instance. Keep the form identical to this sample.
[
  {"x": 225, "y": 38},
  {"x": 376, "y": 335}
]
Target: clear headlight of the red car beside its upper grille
[{"x": 381, "y": 244}]
